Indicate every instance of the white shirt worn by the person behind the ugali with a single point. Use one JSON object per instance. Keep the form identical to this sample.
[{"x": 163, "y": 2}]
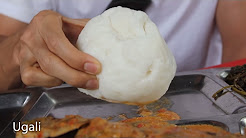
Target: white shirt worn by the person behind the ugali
[{"x": 188, "y": 26}]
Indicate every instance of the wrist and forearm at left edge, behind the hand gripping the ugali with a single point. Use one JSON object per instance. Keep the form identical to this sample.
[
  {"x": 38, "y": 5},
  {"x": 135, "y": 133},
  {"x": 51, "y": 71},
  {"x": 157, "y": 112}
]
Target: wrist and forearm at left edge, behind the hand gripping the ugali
[{"x": 9, "y": 66}]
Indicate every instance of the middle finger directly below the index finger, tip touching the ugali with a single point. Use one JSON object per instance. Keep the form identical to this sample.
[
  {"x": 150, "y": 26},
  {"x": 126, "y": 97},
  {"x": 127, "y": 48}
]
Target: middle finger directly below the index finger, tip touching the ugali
[{"x": 56, "y": 67}]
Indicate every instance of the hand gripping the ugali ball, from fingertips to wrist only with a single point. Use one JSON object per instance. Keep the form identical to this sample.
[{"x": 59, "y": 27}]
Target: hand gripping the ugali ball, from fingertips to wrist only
[{"x": 47, "y": 56}]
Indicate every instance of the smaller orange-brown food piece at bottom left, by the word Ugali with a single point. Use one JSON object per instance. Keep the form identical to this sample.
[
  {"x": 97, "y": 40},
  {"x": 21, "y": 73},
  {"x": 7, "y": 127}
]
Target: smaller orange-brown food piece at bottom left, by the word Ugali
[{"x": 51, "y": 127}]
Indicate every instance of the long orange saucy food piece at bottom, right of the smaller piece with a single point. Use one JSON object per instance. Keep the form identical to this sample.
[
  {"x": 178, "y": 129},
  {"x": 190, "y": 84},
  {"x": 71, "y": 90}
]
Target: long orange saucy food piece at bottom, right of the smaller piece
[{"x": 102, "y": 128}]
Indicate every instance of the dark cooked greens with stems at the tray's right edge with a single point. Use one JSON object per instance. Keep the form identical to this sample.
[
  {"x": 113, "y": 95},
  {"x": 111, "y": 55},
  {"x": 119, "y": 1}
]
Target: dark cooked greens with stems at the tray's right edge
[{"x": 236, "y": 80}]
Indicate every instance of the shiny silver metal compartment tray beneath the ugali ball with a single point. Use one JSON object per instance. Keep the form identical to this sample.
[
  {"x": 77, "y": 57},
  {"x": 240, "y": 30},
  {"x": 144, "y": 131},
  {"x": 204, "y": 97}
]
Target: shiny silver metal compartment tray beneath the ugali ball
[{"x": 189, "y": 95}]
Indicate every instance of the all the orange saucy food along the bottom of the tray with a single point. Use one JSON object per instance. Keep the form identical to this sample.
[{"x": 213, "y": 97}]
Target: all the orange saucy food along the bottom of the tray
[{"x": 149, "y": 125}]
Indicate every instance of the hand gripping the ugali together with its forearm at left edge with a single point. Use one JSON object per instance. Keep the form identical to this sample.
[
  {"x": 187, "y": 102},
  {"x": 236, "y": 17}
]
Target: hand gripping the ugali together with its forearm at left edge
[{"x": 39, "y": 54}]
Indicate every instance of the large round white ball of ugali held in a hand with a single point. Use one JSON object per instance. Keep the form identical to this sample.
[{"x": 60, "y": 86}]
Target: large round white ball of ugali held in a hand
[{"x": 137, "y": 66}]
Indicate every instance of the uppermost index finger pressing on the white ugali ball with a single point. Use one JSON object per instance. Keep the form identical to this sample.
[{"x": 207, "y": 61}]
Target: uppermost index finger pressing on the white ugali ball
[{"x": 60, "y": 45}]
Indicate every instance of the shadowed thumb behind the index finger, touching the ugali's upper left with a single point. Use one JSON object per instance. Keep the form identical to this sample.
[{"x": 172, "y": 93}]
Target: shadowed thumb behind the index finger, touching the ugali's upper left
[{"x": 73, "y": 27}]
